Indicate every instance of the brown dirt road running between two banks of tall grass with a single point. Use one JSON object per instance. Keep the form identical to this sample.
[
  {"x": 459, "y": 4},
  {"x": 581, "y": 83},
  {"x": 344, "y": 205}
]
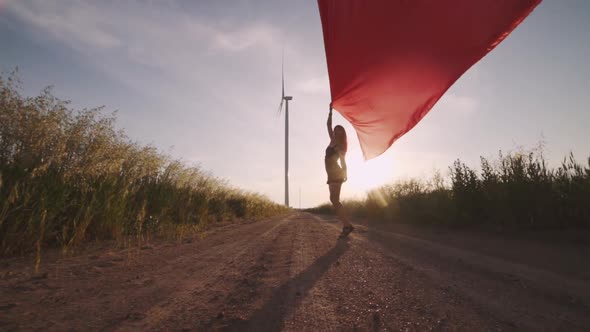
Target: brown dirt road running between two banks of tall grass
[{"x": 291, "y": 273}]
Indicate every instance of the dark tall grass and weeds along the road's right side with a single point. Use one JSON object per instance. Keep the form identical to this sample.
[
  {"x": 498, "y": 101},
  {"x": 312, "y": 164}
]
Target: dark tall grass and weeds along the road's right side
[{"x": 517, "y": 190}]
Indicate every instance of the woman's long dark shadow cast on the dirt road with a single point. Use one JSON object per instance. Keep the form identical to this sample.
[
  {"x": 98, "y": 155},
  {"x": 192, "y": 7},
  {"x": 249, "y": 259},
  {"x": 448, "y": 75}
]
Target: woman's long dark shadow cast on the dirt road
[{"x": 271, "y": 316}]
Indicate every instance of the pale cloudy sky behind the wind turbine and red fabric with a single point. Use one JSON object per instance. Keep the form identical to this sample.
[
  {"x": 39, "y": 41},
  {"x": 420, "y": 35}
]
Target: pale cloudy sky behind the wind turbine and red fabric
[{"x": 200, "y": 80}]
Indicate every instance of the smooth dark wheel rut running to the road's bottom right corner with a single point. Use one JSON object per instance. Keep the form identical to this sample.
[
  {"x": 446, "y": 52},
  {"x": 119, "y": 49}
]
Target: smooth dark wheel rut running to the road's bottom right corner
[{"x": 489, "y": 284}]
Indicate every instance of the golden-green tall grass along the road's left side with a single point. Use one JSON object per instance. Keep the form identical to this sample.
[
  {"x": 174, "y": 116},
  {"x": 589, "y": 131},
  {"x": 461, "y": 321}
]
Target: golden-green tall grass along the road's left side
[{"x": 69, "y": 176}]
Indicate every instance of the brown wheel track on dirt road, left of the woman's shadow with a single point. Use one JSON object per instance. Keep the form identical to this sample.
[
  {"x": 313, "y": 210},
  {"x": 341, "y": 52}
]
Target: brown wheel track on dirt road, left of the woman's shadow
[{"x": 204, "y": 294}]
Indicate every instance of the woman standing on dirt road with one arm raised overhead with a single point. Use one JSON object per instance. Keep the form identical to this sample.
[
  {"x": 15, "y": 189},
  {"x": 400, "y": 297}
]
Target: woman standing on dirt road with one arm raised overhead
[{"x": 336, "y": 151}]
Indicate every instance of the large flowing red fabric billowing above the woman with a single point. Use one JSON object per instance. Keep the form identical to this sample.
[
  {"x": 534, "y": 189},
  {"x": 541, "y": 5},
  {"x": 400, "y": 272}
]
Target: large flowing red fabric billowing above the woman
[{"x": 390, "y": 61}]
